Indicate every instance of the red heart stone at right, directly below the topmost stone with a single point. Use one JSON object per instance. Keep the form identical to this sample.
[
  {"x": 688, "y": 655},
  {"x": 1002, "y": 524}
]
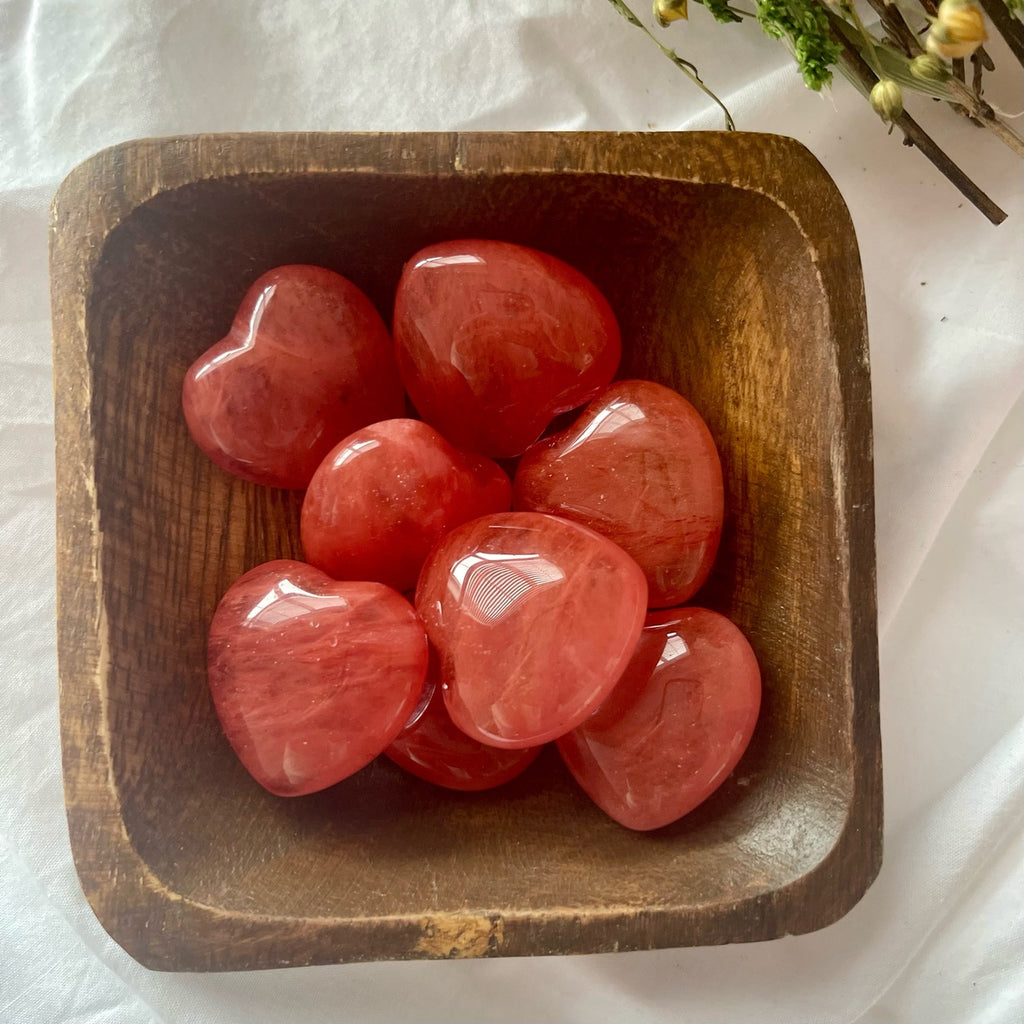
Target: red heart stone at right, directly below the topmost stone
[{"x": 641, "y": 467}]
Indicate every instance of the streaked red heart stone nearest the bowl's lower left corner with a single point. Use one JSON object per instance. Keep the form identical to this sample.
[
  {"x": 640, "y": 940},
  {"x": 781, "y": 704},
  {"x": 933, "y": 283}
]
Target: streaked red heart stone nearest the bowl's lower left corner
[{"x": 312, "y": 678}]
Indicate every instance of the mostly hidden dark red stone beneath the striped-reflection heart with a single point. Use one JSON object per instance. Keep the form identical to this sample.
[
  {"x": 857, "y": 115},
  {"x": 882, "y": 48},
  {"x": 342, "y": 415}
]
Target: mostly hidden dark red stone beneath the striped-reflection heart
[{"x": 433, "y": 748}]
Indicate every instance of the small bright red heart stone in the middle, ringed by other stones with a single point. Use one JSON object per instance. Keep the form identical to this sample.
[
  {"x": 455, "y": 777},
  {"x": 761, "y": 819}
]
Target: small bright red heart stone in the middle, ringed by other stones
[{"x": 382, "y": 499}]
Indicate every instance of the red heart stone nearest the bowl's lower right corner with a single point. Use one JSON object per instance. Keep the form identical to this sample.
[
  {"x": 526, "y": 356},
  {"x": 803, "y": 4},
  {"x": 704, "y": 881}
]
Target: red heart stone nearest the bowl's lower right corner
[{"x": 675, "y": 727}]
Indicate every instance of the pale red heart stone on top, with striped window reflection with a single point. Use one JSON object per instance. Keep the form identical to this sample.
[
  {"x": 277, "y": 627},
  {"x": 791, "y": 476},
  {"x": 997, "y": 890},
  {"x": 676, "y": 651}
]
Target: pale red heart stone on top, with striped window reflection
[{"x": 534, "y": 620}]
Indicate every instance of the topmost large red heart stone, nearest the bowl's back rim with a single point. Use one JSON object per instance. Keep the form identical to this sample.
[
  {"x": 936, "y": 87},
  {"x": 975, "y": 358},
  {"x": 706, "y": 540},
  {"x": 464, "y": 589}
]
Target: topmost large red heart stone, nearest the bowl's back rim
[{"x": 494, "y": 340}]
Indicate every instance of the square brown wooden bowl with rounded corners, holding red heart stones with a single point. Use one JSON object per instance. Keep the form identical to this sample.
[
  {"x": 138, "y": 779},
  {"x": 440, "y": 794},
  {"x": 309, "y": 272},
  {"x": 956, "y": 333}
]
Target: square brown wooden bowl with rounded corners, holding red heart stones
[{"x": 732, "y": 263}]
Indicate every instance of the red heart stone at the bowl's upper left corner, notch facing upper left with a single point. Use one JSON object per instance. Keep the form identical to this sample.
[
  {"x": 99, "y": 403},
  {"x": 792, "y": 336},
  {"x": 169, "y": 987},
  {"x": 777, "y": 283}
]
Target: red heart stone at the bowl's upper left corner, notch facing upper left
[{"x": 308, "y": 361}]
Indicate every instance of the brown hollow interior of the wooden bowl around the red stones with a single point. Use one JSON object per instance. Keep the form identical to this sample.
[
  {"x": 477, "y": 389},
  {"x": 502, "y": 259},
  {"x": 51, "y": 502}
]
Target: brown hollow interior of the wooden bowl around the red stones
[{"x": 718, "y": 297}]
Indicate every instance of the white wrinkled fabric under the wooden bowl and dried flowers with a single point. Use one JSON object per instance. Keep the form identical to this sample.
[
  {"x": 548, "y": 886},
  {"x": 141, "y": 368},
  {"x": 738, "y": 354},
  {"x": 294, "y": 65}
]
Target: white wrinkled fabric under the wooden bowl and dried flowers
[{"x": 940, "y": 936}]
